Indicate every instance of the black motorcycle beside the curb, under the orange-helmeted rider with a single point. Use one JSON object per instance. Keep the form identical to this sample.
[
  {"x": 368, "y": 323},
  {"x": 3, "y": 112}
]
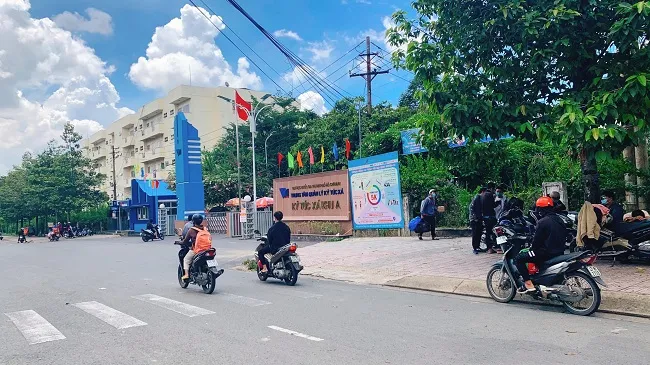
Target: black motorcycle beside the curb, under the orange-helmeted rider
[{"x": 570, "y": 279}]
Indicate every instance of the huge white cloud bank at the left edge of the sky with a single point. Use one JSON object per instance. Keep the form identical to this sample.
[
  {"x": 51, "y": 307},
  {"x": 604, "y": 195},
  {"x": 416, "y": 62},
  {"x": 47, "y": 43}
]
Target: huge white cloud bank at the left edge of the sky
[{"x": 48, "y": 78}]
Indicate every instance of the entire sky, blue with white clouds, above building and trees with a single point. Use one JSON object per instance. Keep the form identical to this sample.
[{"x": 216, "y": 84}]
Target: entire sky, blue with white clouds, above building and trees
[{"x": 91, "y": 62}]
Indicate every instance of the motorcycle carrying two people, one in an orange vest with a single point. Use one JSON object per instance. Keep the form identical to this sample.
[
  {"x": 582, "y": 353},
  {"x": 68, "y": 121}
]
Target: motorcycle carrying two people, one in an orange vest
[{"x": 203, "y": 269}]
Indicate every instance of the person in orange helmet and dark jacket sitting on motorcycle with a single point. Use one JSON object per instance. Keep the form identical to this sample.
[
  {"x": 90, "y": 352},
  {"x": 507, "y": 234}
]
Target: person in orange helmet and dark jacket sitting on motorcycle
[{"x": 548, "y": 242}]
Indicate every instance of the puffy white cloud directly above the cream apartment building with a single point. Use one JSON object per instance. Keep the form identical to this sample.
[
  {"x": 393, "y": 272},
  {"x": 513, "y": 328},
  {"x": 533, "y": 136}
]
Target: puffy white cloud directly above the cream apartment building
[{"x": 185, "y": 45}]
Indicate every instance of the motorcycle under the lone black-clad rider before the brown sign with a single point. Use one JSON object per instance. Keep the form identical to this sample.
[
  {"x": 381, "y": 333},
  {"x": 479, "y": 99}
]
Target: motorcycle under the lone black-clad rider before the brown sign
[{"x": 284, "y": 265}]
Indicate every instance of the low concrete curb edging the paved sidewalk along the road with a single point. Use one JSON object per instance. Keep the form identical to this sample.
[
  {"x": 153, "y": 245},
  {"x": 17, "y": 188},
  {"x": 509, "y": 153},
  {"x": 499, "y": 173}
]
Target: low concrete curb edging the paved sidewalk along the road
[{"x": 629, "y": 304}]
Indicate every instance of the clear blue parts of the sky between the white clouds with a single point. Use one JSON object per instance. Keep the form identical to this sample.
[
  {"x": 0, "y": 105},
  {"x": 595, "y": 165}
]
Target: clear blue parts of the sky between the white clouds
[{"x": 335, "y": 22}]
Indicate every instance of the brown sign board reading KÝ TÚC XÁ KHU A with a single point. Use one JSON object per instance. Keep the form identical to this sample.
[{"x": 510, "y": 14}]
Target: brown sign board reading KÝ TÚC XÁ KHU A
[{"x": 316, "y": 197}]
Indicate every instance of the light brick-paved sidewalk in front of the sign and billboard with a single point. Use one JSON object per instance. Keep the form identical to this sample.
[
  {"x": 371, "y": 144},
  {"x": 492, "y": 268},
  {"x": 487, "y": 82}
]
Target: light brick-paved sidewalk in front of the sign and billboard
[{"x": 446, "y": 265}]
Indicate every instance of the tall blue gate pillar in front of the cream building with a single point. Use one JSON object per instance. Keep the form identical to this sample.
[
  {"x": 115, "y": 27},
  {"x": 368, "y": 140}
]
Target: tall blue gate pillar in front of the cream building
[{"x": 189, "y": 175}]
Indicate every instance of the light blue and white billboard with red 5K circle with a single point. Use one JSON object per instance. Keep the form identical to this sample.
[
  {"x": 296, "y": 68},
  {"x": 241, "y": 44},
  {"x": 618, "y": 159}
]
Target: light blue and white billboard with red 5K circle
[{"x": 376, "y": 192}]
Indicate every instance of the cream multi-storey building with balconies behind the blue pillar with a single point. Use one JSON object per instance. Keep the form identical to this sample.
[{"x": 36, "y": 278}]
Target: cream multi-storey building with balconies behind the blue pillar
[{"x": 145, "y": 140}]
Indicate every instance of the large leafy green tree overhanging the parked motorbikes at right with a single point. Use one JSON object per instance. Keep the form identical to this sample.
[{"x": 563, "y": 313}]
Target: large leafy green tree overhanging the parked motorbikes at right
[{"x": 568, "y": 71}]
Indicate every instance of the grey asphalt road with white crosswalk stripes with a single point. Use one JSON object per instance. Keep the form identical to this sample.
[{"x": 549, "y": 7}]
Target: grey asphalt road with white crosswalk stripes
[{"x": 117, "y": 301}]
